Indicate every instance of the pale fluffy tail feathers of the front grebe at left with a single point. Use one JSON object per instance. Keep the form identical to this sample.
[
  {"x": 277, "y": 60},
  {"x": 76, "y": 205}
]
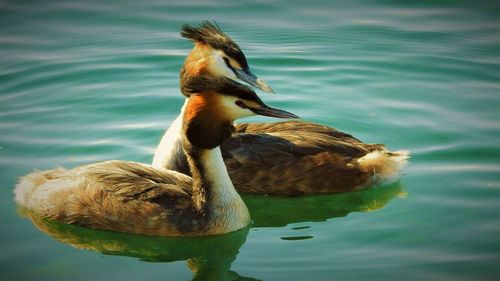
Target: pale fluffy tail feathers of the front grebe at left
[{"x": 28, "y": 184}]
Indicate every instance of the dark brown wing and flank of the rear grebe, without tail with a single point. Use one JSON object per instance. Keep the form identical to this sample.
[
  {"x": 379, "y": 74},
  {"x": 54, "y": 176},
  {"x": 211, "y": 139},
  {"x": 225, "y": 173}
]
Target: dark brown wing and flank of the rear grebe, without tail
[{"x": 293, "y": 157}]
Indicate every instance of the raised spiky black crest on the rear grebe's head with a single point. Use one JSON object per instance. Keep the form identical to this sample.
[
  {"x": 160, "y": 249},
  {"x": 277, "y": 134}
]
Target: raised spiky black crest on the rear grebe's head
[{"x": 211, "y": 34}]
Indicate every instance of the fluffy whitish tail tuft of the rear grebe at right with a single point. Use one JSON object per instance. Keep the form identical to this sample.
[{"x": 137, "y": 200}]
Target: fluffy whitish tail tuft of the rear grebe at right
[{"x": 384, "y": 164}]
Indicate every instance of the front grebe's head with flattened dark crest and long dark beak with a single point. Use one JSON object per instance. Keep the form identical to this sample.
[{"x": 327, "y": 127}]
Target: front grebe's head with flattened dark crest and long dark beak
[{"x": 213, "y": 105}]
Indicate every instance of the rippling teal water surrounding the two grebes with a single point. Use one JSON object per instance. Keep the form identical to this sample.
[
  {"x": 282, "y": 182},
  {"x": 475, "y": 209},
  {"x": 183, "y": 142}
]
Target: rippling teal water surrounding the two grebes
[{"x": 87, "y": 81}]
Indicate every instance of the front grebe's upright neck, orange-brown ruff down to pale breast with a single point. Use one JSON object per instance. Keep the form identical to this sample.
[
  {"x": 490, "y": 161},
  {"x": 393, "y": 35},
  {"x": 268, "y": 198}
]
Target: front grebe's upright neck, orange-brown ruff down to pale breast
[{"x": 213, "y": 192}]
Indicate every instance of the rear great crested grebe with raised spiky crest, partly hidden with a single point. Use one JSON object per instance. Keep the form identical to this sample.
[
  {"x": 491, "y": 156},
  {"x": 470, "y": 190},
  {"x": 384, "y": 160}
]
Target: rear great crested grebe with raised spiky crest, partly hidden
[{"x": 282, "y": 158}]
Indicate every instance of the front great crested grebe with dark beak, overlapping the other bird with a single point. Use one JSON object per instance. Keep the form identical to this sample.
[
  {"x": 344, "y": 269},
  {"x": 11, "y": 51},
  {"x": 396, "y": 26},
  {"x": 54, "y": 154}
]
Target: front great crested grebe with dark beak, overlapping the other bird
[{"x": 136, "y": 198}]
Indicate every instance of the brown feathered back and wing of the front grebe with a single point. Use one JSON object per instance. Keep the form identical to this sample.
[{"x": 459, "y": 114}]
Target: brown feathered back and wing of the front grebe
[{"x": 123, "y": 196}]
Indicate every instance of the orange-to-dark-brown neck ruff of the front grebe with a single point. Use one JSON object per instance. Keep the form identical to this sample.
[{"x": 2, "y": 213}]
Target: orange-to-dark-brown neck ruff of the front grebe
[{"x": 204, "y": 122}]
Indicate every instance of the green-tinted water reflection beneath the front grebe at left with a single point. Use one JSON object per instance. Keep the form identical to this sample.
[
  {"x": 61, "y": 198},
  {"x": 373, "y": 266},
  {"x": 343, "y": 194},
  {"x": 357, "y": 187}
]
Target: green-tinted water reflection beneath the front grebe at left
[{"x": 209, "y": 257}]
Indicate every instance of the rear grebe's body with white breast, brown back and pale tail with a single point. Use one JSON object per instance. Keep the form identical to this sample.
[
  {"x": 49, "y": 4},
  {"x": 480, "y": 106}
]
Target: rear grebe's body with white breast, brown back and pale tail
[{"x": 292, "y": 158}]
